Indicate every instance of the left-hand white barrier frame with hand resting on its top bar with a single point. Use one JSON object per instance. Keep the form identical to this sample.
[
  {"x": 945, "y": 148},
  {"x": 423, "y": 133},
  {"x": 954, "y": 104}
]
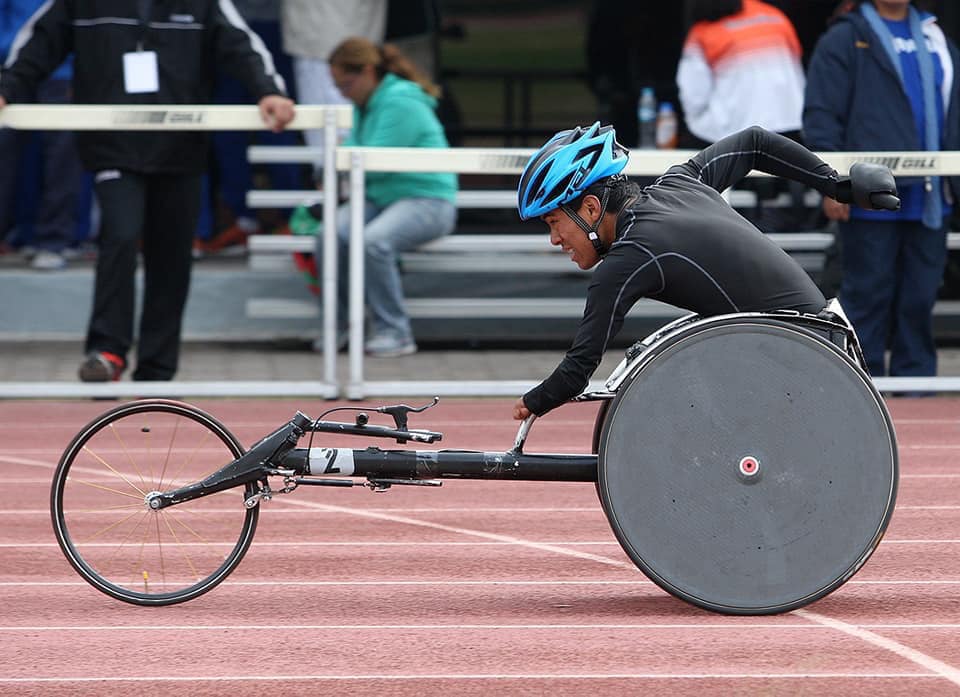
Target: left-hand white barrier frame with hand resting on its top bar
[{"x": 198, "y": 117}]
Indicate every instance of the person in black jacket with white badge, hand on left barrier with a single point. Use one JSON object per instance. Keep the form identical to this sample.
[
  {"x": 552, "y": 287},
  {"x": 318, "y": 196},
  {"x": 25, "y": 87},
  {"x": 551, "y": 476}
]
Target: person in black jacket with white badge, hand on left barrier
[{"x": 148, "y": 184}]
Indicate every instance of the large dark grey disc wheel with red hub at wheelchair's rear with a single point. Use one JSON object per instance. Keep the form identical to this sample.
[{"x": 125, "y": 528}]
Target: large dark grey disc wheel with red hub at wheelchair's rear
[{"x": 748, "y": 466}]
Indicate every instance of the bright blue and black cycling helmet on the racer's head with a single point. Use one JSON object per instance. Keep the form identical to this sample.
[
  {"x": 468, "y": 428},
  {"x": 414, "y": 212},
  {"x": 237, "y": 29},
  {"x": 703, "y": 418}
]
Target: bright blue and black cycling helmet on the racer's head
[{"x": 566, "y": 166}]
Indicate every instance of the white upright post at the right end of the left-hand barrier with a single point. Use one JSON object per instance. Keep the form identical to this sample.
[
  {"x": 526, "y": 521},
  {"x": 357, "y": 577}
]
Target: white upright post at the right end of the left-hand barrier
[{"x": 330, "y": 251}]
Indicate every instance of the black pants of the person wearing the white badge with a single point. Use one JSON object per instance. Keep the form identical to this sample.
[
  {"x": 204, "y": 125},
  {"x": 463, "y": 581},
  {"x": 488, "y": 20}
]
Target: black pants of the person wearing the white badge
[{"x": 156, "y": 214}]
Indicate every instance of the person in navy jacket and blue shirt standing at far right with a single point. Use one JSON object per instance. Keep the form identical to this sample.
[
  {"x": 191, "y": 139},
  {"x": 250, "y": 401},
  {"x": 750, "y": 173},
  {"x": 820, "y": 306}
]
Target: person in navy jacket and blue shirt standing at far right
[{"x": 882, "y": 78}]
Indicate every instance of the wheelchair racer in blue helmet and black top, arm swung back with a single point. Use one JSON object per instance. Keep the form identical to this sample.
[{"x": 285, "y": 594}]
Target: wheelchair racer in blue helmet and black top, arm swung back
[{"x": 677, "y": 240}]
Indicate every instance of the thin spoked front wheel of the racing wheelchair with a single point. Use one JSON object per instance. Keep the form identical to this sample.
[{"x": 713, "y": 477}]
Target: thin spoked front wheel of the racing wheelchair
[{"x": 114, "y": 540}]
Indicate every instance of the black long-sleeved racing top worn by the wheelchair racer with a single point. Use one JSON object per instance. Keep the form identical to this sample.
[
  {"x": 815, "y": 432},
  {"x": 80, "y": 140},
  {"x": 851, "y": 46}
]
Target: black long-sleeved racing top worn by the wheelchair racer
[{"x": 681, "y": 243}]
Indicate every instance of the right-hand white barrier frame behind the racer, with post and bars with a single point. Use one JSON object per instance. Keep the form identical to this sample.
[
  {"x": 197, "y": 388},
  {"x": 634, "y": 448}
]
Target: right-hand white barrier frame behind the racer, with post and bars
[{"x": 359, "y": 160}]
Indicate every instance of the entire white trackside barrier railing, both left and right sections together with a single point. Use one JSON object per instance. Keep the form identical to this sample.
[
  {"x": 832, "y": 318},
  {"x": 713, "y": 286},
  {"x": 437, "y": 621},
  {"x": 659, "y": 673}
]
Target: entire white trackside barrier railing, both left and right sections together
[{"x": 357, "y": 161}]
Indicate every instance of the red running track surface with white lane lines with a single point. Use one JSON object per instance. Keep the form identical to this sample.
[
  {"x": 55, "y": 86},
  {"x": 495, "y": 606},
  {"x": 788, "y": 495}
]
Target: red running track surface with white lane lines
[{"x": 476, "y": 587}]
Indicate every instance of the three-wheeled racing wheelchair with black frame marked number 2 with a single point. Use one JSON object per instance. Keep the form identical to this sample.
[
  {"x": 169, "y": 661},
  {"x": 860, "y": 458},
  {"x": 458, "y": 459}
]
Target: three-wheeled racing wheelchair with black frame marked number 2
[{"x": 745, "y": 462}]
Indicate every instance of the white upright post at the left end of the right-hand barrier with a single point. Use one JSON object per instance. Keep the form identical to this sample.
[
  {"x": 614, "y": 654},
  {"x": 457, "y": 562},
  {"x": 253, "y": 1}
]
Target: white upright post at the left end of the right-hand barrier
[{"x": 355, "y": 388}]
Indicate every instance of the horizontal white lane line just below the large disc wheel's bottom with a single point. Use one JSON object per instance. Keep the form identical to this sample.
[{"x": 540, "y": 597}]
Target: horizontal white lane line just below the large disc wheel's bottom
[{"x": 734, "y": 626}]
